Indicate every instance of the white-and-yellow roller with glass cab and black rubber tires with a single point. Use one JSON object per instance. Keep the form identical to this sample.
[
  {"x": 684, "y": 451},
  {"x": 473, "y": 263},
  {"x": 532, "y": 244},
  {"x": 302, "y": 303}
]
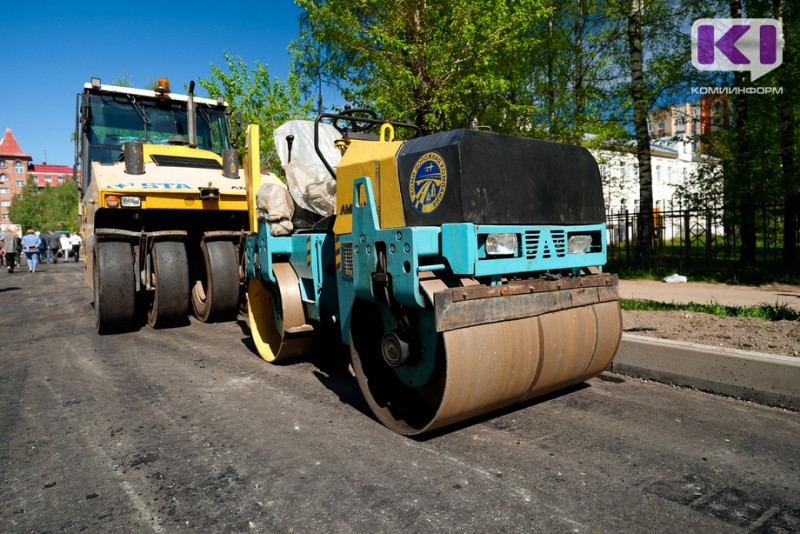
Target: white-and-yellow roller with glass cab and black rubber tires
[{"x": 163, "y": 206}]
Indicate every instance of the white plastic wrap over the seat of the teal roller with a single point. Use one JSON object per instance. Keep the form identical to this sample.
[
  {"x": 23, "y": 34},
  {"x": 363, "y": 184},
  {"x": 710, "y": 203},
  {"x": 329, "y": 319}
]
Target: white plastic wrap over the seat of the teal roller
[{"x": 311, "y": 185}]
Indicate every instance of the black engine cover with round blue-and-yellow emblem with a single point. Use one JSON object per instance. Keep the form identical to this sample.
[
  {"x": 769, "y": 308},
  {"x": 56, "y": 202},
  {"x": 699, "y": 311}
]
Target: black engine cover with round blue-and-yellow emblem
[{"x": 487, "y": 178}]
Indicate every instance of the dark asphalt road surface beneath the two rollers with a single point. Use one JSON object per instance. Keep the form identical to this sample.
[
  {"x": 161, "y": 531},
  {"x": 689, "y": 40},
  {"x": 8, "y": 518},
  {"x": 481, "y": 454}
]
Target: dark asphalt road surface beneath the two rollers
[{"x": 188, "y": 430}]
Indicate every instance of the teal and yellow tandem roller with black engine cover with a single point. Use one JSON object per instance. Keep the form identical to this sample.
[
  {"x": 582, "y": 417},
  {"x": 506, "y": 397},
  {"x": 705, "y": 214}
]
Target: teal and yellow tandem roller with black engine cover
[{"x": 462, "y": 268}]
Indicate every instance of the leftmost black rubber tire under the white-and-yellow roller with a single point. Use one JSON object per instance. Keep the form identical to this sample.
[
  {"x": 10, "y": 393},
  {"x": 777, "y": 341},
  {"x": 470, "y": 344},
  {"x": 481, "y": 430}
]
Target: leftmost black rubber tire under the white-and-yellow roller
[{"x": 114, "y": 287}]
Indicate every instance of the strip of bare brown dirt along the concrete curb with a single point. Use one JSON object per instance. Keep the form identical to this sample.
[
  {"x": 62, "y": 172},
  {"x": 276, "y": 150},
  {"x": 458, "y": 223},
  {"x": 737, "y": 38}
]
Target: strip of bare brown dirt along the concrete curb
[{"x": 744, "y": 333}]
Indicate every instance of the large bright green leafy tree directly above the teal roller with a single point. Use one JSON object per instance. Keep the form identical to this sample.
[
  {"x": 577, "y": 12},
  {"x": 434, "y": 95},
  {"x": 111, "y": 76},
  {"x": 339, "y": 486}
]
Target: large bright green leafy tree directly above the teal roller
[{"x": 435, "y": 63}]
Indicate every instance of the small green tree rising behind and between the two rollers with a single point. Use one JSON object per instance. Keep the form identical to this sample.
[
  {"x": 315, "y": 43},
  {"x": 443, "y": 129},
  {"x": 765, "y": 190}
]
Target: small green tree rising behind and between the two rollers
[{"x": 258, "y": 99}]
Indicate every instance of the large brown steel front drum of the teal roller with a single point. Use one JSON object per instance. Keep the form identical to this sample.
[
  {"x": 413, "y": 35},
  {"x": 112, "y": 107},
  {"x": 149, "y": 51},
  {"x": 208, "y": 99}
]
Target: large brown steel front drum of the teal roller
[{"x": 543, "y": 341}]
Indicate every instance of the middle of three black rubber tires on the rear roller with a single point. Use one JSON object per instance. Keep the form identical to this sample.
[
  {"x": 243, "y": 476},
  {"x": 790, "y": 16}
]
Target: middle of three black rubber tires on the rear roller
[{"x": 170, "y": 272}]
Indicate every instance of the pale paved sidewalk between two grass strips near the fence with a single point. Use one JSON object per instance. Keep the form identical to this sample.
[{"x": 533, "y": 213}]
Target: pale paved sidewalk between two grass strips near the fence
[{"x": 708, "y": 293}]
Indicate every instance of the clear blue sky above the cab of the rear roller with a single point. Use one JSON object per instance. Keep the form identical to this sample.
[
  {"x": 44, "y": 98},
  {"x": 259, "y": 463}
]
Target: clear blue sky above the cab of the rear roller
[{"x": 50, "y": 49}]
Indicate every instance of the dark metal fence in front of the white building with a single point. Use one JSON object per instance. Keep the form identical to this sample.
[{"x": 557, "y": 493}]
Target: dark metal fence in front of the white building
[{"x": 700, "y": 236}]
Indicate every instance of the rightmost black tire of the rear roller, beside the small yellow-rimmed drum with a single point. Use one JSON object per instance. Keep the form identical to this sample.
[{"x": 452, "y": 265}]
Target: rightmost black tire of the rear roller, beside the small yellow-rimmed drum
[{"x": 215, "y": 293}]
